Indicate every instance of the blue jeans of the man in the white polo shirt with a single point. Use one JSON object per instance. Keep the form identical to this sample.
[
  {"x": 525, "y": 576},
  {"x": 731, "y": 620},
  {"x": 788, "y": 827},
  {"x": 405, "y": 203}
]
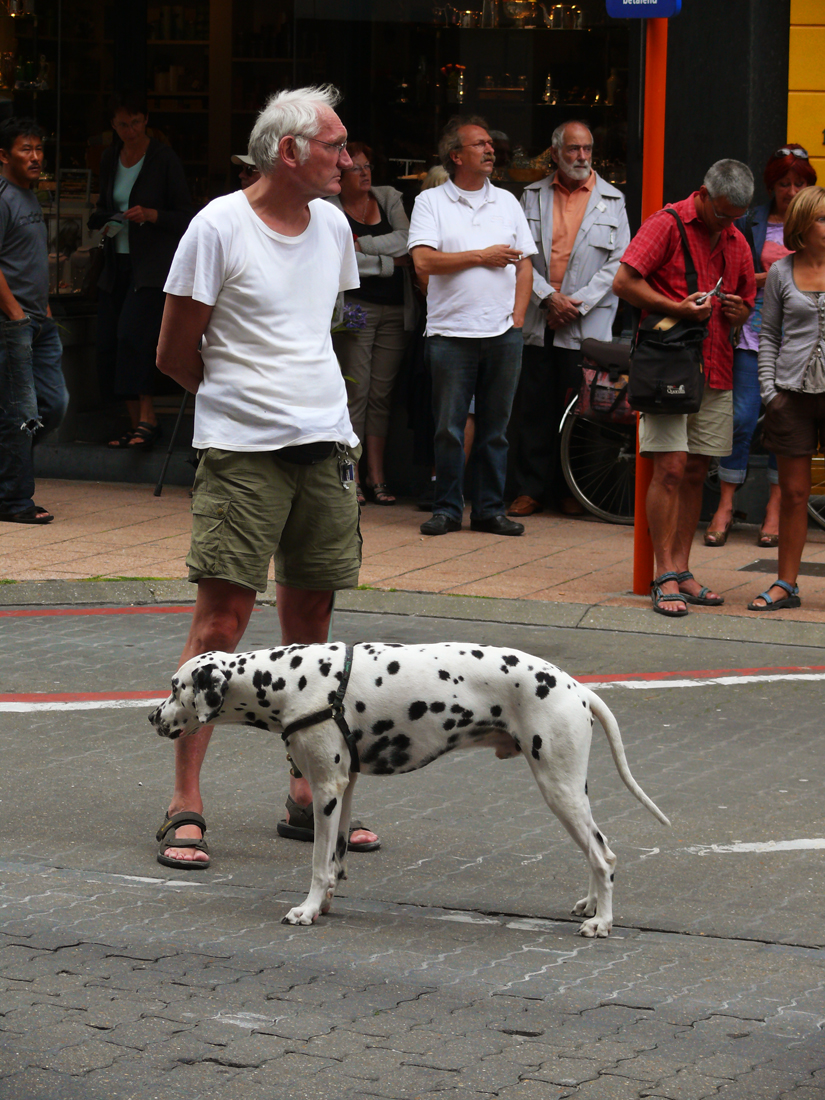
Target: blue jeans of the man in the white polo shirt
[{"x": 460, "y": 368}]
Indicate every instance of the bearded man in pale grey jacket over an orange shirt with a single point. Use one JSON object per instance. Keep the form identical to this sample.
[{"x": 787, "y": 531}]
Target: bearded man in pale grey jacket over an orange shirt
[{"x": 580, "y": 227}]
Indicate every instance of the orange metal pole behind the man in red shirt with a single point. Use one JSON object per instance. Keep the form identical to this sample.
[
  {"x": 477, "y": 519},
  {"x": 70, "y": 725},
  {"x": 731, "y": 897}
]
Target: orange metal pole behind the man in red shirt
[{"x": 656, "y": 79}]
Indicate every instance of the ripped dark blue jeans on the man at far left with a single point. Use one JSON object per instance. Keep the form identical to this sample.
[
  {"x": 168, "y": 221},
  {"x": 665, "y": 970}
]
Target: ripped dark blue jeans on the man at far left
[{"x": 34, "y": 402}]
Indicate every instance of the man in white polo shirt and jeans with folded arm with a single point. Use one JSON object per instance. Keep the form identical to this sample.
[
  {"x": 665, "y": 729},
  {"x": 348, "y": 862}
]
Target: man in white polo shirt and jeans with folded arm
[{"x": 471, "y": 241}]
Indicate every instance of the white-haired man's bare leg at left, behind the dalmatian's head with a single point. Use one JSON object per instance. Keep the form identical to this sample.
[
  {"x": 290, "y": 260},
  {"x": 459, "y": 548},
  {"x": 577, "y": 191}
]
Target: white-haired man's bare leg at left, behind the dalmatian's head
[{"x": 222, "y": 613}]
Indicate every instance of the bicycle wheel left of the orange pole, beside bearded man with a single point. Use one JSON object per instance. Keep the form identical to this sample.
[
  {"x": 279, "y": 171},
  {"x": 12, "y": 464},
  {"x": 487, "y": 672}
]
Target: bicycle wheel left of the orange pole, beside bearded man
[{"x": 599, "y": 463}]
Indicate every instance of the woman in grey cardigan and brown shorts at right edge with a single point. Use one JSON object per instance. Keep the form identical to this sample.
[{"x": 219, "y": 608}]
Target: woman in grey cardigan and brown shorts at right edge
[{"x": 793, "y": 382}]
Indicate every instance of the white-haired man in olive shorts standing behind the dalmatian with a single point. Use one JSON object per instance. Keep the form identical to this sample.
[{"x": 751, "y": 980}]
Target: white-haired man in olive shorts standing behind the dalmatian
[{"x": 247, "y": 329}]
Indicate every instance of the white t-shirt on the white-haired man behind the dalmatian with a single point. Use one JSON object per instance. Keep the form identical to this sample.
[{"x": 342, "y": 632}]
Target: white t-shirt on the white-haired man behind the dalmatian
[{"x": 271, "y": 378}]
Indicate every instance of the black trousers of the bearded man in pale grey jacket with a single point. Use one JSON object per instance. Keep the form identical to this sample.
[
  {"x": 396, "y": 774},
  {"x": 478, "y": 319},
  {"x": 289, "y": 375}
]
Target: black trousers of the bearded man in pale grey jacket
[{"x": 551, "y": 377}]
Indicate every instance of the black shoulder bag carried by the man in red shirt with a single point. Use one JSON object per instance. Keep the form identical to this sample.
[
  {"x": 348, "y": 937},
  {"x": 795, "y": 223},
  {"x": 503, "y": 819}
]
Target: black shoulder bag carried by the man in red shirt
[{"x": 667, "y": 364}]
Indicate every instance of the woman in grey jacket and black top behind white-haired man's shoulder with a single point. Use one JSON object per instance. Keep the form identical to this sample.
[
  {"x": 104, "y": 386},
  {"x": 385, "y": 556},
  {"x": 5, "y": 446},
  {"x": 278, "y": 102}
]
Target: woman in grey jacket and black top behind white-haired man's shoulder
[{"x": 371, "y": 358}]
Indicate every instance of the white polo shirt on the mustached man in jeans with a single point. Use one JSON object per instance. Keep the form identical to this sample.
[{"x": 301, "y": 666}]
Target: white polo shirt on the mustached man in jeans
[{"x": 479, "y": 302}]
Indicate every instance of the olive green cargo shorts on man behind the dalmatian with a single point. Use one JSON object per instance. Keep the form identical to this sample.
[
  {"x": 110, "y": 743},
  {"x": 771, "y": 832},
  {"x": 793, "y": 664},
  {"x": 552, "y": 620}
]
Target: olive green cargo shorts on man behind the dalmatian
[{"x": 251, "y": 507}]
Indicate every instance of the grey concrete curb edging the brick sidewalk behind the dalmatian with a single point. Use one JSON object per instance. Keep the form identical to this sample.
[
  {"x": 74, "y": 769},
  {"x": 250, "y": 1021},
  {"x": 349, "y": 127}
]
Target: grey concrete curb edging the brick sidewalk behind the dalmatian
[{"x": 700, "y": 624}]
